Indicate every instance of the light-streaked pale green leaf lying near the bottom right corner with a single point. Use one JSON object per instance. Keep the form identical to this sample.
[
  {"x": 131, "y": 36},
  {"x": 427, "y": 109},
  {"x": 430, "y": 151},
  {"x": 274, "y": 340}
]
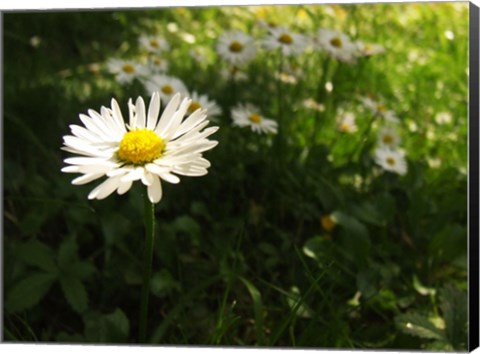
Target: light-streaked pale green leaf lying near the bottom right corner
[{"x": 419, "y": 326}]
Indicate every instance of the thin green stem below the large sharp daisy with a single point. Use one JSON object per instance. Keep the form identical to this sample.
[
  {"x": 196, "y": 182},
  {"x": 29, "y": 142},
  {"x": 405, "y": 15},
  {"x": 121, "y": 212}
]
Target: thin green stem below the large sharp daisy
[{"x": 147, "y": 267}]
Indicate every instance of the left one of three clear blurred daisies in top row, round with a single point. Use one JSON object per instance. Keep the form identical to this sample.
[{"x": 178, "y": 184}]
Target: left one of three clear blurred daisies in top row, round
[{"x": 236, "y": 47}]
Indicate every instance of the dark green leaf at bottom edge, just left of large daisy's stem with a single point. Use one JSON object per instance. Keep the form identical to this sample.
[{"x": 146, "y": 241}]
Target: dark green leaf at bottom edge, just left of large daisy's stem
[{"x": 111, "y": 328}]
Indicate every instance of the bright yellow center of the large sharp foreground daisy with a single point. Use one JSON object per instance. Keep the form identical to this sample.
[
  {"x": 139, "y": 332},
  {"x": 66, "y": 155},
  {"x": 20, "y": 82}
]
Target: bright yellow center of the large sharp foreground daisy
[{"x": 140, "y": 146}]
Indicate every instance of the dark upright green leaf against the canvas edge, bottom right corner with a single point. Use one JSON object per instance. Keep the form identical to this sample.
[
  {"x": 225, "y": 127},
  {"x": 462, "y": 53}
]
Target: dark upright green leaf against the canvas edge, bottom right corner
[{"x": 453, "y": 303}]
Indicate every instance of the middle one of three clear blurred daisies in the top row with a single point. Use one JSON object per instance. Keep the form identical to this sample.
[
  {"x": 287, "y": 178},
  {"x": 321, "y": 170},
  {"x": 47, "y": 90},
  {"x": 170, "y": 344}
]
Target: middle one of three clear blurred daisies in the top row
[{"x": 288, "y": 42}]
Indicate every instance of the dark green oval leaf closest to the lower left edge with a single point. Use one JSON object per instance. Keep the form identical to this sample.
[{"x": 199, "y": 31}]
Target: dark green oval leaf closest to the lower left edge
[{"x": 29, "y": 291}]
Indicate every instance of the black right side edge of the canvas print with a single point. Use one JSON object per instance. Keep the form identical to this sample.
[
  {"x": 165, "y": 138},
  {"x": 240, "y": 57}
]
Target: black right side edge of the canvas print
[{"x": 473, "y": 282}]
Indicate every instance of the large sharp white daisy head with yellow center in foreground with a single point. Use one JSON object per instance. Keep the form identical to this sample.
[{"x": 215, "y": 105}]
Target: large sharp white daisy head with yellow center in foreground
[{"x": 147, "y": 148}]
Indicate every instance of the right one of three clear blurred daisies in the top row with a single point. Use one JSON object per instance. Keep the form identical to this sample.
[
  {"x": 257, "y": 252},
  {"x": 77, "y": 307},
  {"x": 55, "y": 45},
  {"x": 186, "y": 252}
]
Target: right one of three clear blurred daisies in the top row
[{"x": 336, "y": 44}]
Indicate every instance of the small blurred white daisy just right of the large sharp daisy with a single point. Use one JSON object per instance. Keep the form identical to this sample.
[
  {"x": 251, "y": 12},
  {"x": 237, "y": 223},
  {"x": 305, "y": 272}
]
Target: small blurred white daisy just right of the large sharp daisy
[{"x": 247, "y": 115}]
